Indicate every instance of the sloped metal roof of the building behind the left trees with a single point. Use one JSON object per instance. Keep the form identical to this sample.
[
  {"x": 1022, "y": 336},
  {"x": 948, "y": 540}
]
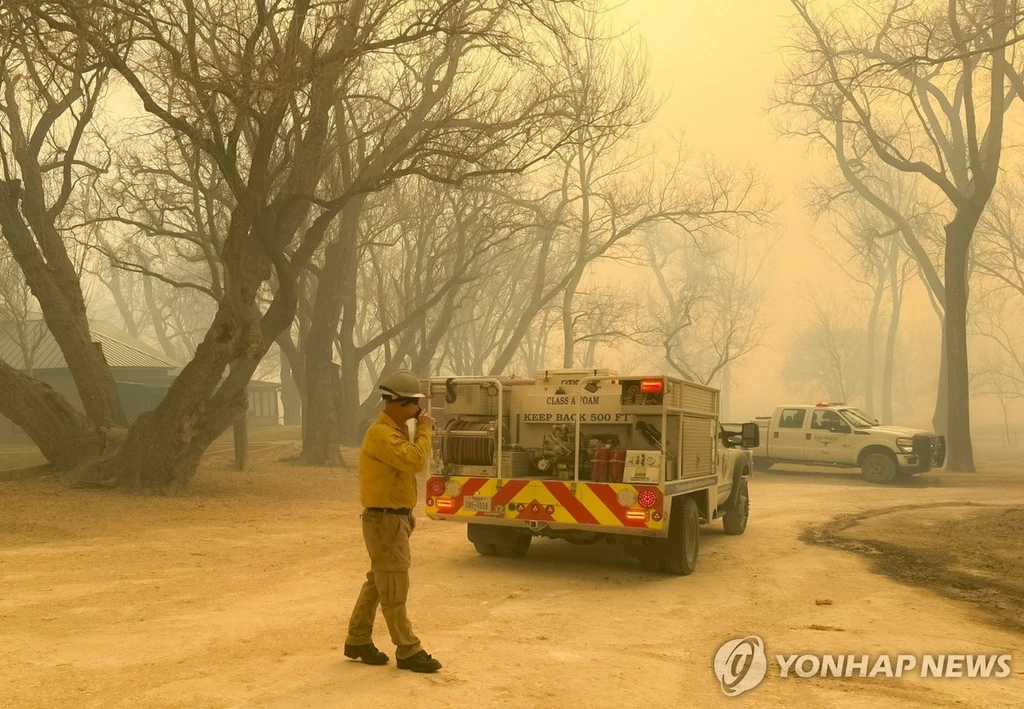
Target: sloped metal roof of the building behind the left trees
[{"x": 120, "y": 349}]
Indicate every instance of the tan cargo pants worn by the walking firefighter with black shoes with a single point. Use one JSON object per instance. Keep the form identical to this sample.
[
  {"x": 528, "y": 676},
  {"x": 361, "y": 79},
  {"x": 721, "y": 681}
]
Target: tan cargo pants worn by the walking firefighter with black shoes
[{"x": 387, "y": 537}]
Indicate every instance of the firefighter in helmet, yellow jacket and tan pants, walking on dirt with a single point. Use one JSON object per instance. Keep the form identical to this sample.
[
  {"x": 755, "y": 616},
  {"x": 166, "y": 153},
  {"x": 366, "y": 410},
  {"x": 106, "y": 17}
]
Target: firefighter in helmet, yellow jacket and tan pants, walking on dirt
[{"x": 389, "y": 464}]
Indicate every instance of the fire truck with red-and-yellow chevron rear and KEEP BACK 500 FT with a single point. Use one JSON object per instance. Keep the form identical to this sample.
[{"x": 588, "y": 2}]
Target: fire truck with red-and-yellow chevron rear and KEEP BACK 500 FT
[{"x": 585, "y": 456}]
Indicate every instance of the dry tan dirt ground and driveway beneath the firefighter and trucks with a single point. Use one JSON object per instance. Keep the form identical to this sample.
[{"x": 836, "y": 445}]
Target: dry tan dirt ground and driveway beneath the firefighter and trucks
[{"x": 238, "y": 597}]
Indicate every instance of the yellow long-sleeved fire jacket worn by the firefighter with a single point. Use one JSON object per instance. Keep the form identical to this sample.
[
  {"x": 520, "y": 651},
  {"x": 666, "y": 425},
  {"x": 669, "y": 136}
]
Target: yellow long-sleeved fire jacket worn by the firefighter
[{"x": 389, "y": 464}]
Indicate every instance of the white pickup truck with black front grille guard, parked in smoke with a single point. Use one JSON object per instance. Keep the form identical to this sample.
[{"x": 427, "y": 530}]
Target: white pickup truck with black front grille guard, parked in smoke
[{"x": 836, "y": 435}]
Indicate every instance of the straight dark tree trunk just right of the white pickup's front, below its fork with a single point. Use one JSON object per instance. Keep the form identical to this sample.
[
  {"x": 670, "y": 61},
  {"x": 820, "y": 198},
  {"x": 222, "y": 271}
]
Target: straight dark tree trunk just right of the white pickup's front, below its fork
[{"x": 961, "y": 456}]
